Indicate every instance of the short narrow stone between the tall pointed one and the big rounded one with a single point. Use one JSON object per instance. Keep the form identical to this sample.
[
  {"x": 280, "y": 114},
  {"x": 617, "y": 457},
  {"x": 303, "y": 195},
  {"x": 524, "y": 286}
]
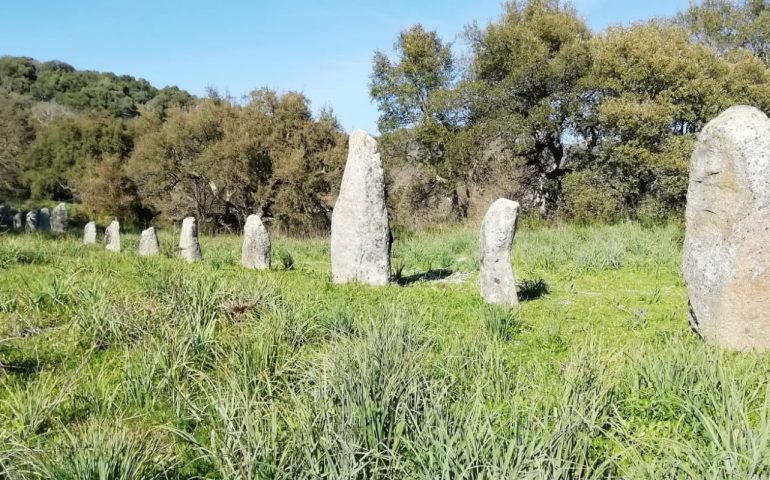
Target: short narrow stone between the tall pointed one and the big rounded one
[{"x": 498, "y": 284}]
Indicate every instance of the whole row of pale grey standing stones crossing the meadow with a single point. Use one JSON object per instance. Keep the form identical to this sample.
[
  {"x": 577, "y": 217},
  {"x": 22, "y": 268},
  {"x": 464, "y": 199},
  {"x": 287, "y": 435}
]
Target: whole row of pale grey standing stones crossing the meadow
[{"x": 726, "y": 252}]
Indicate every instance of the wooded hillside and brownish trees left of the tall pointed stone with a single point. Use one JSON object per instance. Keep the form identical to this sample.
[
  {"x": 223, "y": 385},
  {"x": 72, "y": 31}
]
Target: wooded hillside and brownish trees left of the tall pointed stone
[{"x": 124, "y": 148}]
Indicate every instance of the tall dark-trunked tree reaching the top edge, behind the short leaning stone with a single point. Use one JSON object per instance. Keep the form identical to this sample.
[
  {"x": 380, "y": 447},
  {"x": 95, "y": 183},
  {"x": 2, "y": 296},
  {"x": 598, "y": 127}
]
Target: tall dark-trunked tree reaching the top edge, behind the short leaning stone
[{"x": 527, "y": 72}]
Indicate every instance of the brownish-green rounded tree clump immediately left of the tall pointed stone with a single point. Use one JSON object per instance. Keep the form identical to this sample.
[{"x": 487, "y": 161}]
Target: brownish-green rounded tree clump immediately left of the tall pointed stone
[{"x": 221, "y": 161}]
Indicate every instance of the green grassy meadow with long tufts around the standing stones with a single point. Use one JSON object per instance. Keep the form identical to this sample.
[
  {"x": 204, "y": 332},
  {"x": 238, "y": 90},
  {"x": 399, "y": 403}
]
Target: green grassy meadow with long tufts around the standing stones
[{"x": 121, "y": 367}]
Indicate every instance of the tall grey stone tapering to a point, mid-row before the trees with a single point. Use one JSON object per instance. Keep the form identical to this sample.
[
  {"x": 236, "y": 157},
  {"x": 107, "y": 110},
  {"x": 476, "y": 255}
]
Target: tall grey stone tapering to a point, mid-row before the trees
[{"x": 360, "y": 240}]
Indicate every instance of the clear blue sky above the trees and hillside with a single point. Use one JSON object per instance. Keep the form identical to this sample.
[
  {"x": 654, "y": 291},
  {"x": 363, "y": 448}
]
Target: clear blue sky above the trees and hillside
[{"x": 321, "y": 47}]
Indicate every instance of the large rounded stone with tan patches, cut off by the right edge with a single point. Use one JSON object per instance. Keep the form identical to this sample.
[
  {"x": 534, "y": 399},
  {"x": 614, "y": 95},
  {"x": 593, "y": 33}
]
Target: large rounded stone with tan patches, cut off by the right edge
[{"x": 727, "y": 240}]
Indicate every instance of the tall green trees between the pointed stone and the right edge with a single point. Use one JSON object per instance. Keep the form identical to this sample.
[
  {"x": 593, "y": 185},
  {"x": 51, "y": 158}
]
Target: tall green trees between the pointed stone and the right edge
[{"x": 568, "y": 122}]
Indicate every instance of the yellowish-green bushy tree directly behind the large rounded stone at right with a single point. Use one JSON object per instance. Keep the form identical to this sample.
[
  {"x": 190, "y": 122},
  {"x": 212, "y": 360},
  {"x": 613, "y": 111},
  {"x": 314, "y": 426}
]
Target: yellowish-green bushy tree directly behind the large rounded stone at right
[{"x": 651, "y": 91}]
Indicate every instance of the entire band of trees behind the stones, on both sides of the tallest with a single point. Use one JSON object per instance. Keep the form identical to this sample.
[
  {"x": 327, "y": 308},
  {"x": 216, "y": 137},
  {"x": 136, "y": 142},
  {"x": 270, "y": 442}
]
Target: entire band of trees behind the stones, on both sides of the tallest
[{"x": 537, "y": 108}]
